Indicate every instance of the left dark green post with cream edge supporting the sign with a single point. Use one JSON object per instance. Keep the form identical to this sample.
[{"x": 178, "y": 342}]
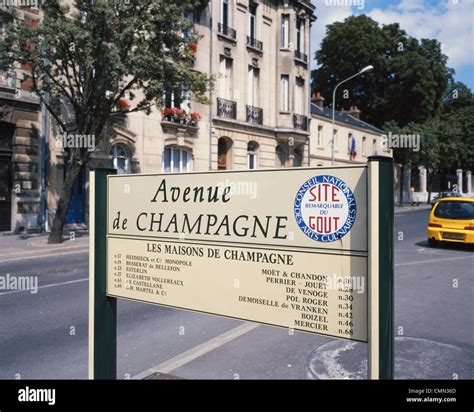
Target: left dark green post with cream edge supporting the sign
[{"x": 102, "y": 309}]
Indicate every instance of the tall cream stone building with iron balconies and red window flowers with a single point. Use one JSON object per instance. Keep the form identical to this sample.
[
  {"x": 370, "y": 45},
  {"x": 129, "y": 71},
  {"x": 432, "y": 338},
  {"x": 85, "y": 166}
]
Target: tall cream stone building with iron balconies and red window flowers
[{"x": 258, "y": 54}]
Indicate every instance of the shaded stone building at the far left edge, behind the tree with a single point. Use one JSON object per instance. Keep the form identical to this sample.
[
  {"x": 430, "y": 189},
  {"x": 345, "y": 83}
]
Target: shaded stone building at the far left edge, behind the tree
[{"x": 20, "y": 146}]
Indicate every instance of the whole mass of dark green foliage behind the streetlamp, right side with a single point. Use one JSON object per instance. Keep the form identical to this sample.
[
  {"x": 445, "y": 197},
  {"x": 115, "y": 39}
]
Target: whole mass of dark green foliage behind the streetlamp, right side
[{"x": 410, "y": 91}]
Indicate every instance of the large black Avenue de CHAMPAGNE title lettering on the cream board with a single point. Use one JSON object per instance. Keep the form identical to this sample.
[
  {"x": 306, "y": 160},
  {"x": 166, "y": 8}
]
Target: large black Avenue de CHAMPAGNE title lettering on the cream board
[{"x": 254, "y": 226}]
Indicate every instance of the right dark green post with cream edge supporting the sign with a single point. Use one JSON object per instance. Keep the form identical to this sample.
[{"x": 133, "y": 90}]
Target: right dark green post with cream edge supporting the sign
[{"x": 381, "y": 269}]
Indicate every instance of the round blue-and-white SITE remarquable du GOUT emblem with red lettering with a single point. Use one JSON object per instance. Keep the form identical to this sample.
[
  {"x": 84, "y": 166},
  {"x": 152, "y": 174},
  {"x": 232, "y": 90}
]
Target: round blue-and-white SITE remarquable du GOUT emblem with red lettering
[{"x": 325, "y": 208}]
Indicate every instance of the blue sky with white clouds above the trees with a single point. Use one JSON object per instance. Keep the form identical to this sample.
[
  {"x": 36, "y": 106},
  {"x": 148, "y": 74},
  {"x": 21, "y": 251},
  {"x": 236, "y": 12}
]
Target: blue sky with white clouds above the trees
[{"x": 448, "y": 21}]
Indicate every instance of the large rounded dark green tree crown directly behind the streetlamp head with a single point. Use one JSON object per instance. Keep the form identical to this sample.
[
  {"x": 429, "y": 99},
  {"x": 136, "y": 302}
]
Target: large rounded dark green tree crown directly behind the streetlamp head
[{"x": 409, "y": 78}]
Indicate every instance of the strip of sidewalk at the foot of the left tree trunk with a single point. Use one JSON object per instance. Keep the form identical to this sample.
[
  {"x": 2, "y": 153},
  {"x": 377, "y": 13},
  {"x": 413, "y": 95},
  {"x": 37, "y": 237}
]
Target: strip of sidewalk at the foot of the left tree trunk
[{"x": 35, "y": 245}]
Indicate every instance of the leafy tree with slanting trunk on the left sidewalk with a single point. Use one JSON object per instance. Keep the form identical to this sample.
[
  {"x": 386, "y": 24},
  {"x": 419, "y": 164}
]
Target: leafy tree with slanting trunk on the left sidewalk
[{"x": 89, "y": 57}]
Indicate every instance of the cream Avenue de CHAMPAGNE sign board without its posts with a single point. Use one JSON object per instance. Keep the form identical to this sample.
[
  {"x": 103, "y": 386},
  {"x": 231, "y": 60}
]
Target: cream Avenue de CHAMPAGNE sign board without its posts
[{"x": 285, "y": 247}]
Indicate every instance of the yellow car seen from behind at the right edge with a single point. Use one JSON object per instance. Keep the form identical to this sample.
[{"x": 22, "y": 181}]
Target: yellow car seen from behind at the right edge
[{"x": 452, "y": 220}]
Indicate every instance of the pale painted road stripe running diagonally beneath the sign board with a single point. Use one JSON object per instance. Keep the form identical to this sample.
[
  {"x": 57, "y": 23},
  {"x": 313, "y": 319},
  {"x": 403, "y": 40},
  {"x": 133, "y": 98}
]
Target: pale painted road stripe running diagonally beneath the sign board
[{"x": 198, "y": 351}]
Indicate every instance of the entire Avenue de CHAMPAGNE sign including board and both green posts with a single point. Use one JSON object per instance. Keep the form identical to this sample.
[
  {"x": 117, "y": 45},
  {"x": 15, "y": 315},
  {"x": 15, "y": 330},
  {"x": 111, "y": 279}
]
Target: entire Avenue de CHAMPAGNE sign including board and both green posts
[{"x": 309, "y": 249}]
